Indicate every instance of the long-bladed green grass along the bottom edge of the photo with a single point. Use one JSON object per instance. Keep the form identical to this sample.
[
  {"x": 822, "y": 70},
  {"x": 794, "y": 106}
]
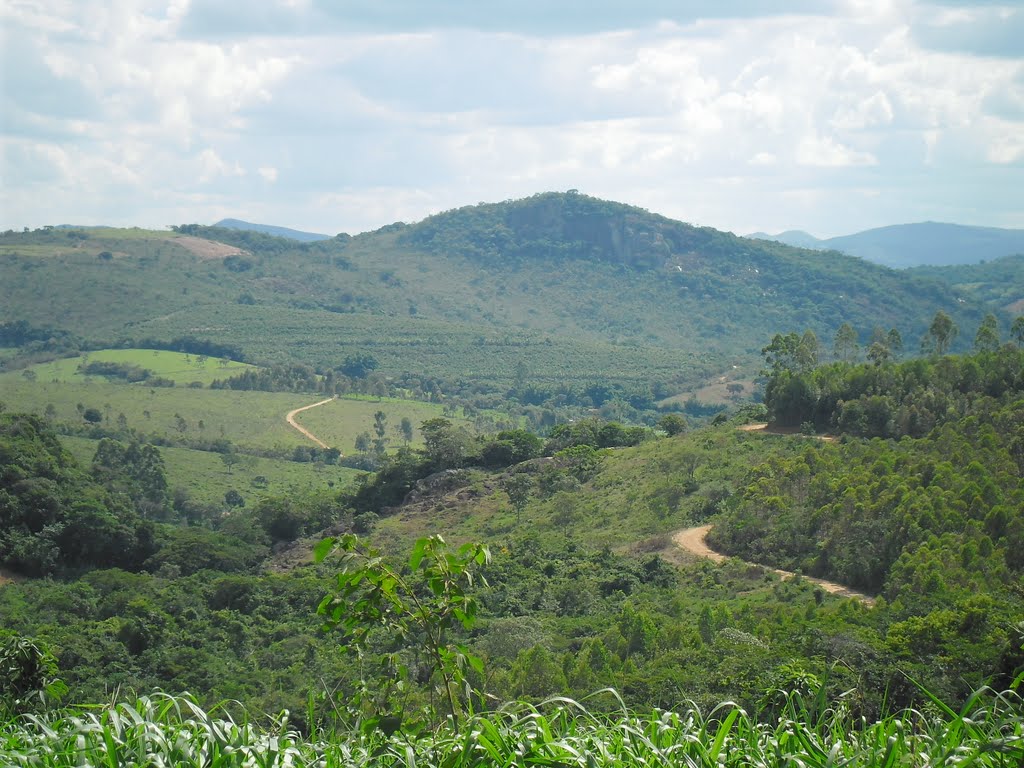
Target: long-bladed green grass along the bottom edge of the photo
[{"x": 164, "y": 731}]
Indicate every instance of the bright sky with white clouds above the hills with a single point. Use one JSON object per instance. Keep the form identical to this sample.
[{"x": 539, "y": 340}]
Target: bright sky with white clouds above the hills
[{"x": 829, "y": 116}]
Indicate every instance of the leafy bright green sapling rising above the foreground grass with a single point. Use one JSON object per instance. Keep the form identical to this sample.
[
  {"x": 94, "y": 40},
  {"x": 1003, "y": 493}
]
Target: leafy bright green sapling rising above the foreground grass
[{"x": 414, "y": 609}]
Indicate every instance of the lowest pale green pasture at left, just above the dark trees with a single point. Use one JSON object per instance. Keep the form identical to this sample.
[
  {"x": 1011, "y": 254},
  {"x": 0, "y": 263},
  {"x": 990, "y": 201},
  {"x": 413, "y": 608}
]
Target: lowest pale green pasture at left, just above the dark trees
[{"x": 206, "y": 479}]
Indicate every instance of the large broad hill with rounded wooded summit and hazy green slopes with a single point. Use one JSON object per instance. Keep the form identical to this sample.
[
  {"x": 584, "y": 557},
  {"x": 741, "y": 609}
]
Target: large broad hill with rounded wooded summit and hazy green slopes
[{"x": 557, "y": 290}]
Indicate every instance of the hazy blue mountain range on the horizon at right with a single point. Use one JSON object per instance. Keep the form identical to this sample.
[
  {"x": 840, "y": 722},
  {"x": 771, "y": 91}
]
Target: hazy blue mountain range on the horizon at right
[{"x": 925, "y": 244}]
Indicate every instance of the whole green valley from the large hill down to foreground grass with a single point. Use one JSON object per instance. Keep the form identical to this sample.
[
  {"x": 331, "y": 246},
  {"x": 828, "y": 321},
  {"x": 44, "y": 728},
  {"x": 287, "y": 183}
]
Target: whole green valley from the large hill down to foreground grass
[{"x": 514, "y": 413}]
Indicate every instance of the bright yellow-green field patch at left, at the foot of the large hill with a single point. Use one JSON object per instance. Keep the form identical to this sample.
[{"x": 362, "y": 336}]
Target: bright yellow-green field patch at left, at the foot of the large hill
[{"x": 181, "y": 368}]
